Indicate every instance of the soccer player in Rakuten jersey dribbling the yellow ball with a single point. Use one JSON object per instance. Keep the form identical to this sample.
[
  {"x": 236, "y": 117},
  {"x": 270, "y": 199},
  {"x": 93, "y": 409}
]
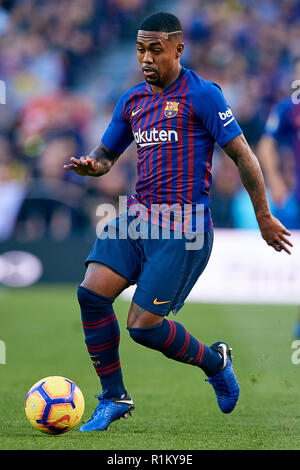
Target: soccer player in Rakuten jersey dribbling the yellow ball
[{"x": 175, "y": 118}]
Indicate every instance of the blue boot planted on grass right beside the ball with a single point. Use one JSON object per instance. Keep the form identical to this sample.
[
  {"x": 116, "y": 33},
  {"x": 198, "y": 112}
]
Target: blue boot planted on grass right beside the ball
[{"x": 107, "y": 411}]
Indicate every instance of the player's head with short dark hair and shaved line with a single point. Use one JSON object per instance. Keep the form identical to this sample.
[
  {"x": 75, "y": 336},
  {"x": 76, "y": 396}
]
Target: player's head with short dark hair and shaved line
[{"x": 159, "y": 47}]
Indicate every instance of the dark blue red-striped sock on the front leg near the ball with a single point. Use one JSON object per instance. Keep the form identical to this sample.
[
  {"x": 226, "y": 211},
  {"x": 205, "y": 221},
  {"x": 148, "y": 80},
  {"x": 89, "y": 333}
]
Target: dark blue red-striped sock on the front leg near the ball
[{"x": 102, "y": 338}]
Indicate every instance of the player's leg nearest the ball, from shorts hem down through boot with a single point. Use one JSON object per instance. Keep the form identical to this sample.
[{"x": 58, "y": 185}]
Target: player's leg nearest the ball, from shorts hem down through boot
[{"x": 96, "y": 294}]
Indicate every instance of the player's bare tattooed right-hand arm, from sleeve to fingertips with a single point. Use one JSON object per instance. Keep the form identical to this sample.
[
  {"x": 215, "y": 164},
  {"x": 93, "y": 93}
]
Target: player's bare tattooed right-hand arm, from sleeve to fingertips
[{"x": 272, "y": 230}]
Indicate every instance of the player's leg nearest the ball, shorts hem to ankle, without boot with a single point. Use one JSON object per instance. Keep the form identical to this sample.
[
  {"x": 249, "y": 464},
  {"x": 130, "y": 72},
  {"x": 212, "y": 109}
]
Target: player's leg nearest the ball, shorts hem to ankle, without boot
[{"x": 96, "y": 295}]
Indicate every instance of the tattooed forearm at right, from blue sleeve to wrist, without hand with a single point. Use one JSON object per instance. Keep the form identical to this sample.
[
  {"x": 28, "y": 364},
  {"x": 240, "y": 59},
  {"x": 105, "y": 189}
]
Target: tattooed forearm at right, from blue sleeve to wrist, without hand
[{"x": 250, "y": 172}]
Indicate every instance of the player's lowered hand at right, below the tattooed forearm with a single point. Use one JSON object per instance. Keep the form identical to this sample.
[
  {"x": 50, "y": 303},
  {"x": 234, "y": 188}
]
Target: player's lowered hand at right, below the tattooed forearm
[{"x": 275, "y": 234}]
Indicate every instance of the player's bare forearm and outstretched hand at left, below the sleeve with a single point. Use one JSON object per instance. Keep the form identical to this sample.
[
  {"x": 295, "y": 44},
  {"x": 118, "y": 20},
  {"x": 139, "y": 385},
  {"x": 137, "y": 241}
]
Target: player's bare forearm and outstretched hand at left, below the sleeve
[{"x": 97, "y": 163}]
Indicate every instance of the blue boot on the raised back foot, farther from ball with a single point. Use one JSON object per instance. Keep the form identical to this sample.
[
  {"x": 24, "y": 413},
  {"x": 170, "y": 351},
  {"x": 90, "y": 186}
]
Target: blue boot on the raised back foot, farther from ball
[{"x": 225, "y": 382}]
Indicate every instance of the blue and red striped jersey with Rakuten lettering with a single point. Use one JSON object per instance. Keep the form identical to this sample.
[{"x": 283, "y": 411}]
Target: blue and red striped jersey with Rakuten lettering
[{"x": 175, "y": 132}]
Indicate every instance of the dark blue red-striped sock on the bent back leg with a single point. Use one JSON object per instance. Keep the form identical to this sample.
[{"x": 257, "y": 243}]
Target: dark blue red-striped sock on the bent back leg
[{"x": 175, "y": 342}]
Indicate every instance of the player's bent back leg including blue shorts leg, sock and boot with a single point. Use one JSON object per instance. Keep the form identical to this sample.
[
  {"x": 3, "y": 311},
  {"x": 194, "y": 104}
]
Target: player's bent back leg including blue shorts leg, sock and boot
[{"x": 163, "y": 286}]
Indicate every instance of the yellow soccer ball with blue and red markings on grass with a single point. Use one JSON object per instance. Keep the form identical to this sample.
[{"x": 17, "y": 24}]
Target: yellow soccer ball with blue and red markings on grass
[{"x": 54, "y": 405}]
